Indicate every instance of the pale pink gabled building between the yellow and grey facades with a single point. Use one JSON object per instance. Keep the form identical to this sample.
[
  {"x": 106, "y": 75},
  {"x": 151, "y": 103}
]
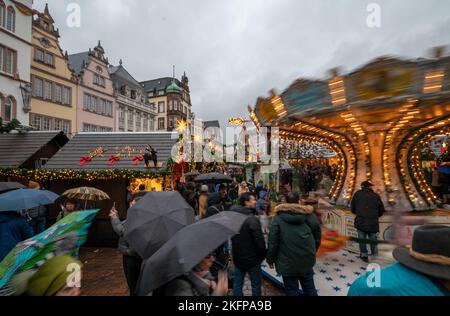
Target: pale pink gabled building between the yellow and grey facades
[{"x": 95, "y": 92}]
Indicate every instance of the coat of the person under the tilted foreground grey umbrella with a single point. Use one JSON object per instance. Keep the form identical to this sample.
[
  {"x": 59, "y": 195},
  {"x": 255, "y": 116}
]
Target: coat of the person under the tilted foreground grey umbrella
[{"x": 187, "y": 285}]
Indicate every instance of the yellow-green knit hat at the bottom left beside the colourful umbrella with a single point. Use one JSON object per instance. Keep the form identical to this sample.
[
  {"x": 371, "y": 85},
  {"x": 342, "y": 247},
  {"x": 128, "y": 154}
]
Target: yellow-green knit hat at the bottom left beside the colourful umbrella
[{"x": 51, "y": 277}]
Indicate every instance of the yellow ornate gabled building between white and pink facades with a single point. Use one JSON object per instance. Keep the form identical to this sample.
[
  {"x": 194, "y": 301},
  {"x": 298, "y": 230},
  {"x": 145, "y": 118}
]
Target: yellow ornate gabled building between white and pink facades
[{"x": 54, "y": 98}]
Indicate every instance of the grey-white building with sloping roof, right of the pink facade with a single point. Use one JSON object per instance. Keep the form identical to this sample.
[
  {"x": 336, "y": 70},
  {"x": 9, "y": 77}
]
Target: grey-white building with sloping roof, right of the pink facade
[{"x": 133, "y": 111}]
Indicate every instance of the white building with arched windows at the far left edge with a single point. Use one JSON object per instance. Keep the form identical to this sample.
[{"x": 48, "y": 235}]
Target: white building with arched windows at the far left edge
[{"x": 15, "y": 59}]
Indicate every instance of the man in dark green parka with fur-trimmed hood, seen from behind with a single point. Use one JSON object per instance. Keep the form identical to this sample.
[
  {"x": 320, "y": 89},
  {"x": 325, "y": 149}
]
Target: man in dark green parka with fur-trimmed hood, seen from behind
[{"x": 294, "y": 239}]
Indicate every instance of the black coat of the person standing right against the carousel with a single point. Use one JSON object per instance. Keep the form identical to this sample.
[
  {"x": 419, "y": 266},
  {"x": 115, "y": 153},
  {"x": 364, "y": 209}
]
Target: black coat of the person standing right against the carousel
[{"x": 368, "y": 207}]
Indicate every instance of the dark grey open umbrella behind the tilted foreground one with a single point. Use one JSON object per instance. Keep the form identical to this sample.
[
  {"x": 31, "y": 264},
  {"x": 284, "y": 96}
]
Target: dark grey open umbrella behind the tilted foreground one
[{"x": 154, "y": 219}]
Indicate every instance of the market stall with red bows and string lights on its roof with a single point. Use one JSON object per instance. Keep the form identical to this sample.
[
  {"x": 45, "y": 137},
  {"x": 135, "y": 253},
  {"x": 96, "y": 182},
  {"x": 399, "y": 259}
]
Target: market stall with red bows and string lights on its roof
[{"x": 111, "y": 162}]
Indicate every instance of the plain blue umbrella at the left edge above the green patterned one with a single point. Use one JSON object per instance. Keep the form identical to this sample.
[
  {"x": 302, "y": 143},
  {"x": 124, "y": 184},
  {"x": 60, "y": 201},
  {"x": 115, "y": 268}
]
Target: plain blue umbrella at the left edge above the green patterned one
[{"x": 25, "y": 199}]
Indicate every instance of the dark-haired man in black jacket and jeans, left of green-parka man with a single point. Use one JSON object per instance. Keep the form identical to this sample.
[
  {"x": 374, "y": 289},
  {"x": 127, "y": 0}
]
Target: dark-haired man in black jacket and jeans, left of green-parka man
[{"x": 248, "y": 247}]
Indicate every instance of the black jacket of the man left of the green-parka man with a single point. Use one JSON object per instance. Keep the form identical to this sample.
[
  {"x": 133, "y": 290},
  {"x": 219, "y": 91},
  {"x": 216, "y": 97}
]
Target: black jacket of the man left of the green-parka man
[{"x": 249, "y": 246}]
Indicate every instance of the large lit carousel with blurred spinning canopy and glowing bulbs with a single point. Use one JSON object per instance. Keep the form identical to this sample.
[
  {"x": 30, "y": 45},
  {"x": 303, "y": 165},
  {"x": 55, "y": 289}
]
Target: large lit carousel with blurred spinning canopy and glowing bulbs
[{"x": 379, "y": 122}]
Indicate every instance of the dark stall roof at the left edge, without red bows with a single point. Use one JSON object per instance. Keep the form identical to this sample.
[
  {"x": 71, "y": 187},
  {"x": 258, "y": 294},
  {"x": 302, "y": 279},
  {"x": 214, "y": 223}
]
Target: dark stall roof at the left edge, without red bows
[{"x": 23, "y": 150}]
